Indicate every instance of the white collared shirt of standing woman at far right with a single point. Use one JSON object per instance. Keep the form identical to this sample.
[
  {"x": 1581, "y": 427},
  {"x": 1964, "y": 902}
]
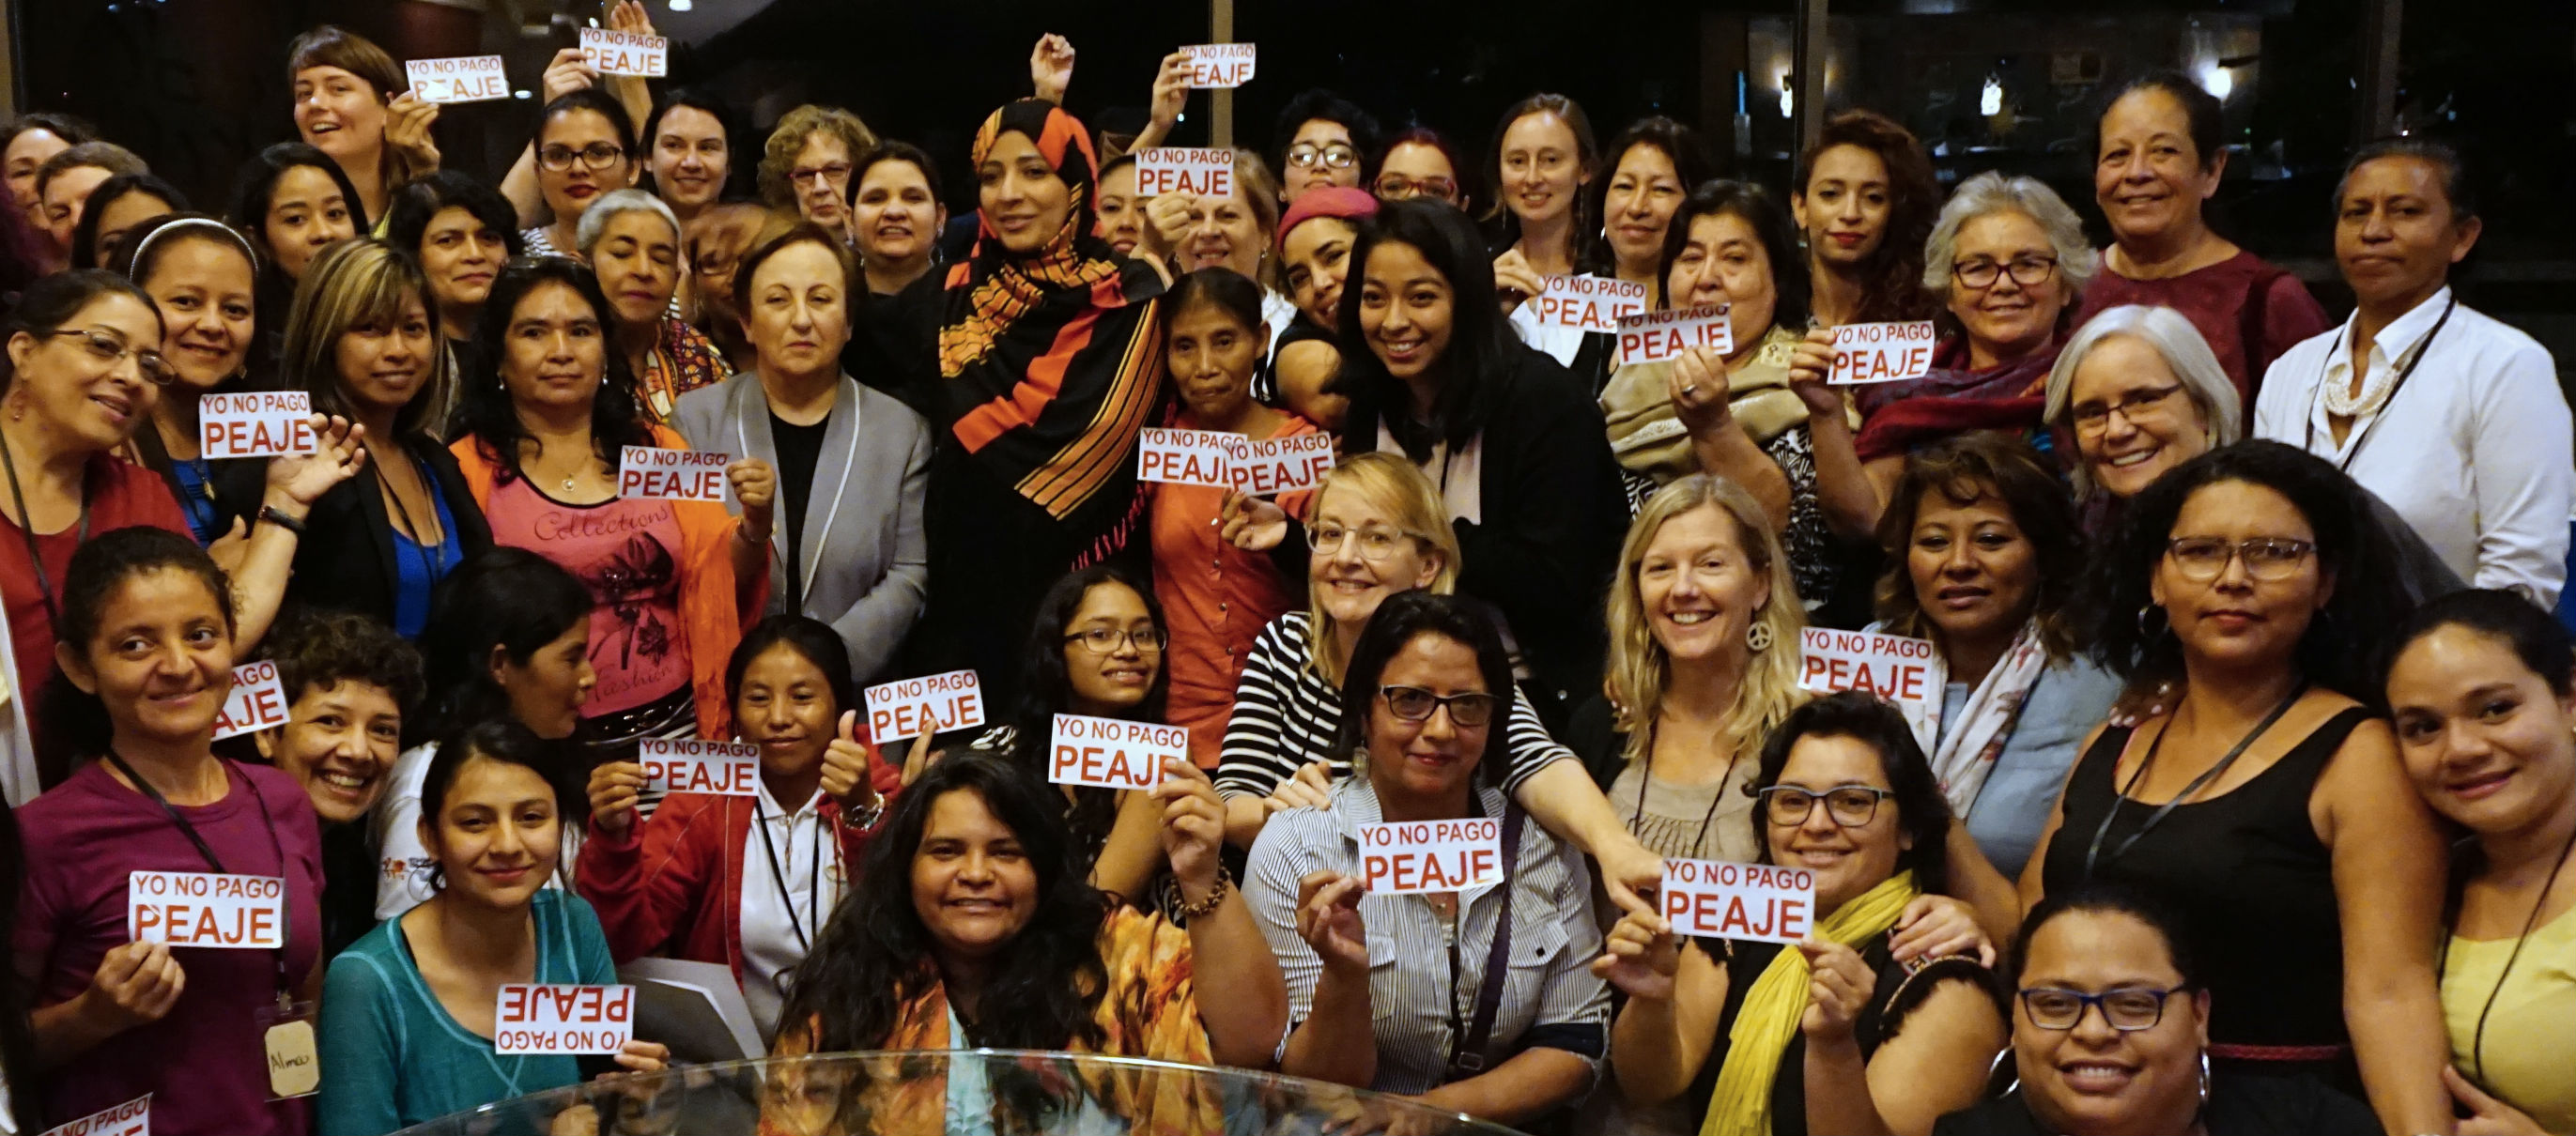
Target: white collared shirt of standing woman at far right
[{"x": 2477, "y": 447}]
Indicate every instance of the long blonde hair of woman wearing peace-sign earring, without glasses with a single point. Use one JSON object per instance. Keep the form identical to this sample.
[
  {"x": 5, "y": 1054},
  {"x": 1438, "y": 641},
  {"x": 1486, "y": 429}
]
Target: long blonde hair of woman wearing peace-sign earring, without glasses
[{"x": 1640, "y": 671}]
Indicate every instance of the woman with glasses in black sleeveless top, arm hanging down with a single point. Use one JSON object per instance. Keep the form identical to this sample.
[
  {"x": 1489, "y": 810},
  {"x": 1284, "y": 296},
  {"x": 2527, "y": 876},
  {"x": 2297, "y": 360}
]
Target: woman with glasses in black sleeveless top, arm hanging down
[{"x": 2258, "y": 583}]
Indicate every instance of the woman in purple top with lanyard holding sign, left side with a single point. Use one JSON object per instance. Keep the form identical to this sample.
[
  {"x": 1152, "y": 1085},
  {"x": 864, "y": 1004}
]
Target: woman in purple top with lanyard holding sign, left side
[{"x": 148, "y": 645}]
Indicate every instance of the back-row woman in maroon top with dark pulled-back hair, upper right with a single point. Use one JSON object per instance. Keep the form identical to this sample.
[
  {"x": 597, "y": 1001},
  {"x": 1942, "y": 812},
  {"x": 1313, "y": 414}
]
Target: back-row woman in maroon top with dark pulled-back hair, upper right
[{"x": 2160, "y": 153}]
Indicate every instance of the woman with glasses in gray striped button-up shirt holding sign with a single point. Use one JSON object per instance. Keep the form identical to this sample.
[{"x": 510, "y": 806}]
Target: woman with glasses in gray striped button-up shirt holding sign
[{"x": 1379, "y": 965}]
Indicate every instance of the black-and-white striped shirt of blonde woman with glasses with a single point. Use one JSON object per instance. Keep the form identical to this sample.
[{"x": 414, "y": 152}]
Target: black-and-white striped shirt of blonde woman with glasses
[{"x": 1287, "y": 717}]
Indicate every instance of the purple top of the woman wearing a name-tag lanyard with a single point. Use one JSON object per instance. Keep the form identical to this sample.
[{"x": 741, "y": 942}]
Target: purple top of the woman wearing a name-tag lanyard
[{"x": 207, "y": 1063}]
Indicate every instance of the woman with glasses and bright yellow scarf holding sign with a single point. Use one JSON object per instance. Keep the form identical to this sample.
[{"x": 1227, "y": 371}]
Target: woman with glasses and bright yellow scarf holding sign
[{"x": 1823, "y": 1032}]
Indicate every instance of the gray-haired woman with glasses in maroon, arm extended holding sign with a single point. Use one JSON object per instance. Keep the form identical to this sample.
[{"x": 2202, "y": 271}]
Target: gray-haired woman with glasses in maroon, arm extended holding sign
[{"x": 2008, "y": 261}]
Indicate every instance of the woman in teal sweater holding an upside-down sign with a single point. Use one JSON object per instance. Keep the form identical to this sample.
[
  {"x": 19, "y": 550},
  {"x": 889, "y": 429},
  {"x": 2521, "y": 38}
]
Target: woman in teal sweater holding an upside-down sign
[{"x": 416, "y": 1006}]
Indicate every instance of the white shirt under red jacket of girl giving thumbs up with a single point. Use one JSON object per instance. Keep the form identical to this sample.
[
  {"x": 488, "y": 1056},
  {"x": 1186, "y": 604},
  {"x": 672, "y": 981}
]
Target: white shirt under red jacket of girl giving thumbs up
[{"x": 779, "y": 929}]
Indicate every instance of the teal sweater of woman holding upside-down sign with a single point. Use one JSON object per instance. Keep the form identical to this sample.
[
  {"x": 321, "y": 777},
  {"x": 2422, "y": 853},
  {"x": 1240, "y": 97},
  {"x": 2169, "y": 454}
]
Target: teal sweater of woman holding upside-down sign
[{"x": 393, "y": 1057}]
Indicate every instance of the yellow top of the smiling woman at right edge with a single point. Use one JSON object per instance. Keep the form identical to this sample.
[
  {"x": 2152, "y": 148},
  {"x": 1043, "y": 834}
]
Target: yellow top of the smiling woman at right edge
[{"x": 2533, "y": 1027}]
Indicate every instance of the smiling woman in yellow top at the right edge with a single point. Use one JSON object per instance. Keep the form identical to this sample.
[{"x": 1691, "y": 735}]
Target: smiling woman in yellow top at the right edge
[{"x": 2485, "y": 710}]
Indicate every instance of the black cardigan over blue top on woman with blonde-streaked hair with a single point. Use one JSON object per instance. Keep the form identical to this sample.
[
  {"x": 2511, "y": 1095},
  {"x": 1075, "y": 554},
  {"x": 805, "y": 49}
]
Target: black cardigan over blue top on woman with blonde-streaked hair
[{"x": 346, "y": 558}]
